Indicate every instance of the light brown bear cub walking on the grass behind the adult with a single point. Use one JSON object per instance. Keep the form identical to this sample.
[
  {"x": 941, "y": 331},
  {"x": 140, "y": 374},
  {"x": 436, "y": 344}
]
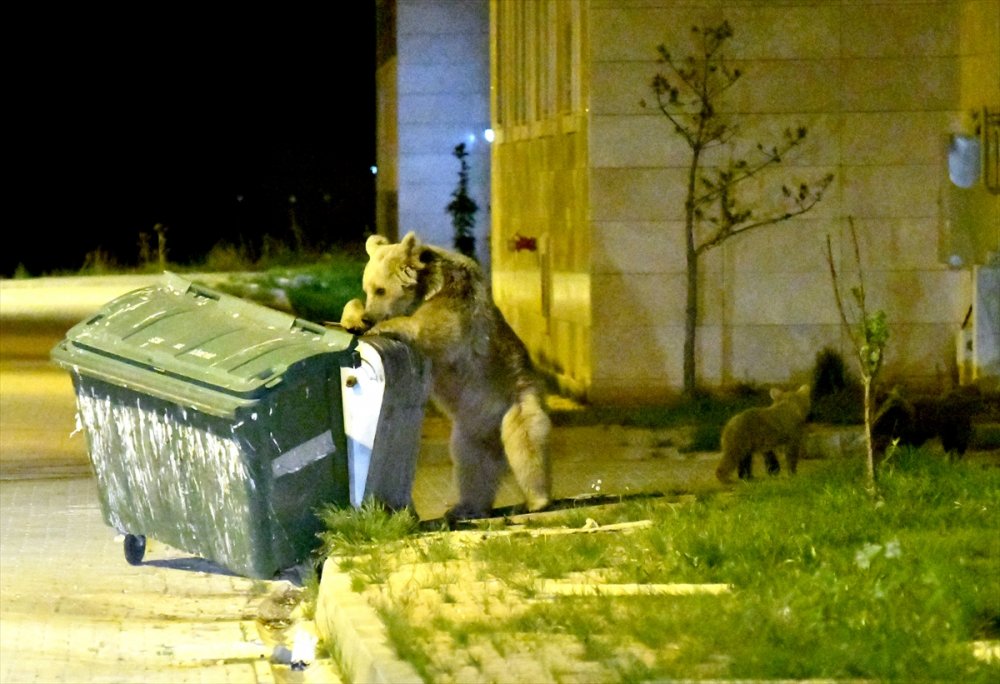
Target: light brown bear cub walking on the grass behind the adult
[{"x": 764, "y": 430}]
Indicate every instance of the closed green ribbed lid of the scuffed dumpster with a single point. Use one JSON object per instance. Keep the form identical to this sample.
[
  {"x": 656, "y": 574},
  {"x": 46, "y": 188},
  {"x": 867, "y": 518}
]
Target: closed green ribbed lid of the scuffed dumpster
[{"x": 196, "y": 334}]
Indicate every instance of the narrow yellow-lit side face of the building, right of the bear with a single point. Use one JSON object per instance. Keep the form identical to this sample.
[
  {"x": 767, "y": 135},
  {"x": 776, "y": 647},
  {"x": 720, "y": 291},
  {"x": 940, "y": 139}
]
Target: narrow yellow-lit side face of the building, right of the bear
[{"x": 541, "y": 245}]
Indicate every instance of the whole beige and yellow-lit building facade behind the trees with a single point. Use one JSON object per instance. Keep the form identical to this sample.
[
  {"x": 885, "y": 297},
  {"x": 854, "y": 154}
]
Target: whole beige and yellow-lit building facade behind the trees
[{"x": 588, "y": 189}]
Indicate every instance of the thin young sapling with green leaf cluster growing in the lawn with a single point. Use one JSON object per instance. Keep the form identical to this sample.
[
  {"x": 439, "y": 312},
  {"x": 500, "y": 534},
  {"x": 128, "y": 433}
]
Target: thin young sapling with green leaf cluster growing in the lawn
[{"x": 869, "y": 334}]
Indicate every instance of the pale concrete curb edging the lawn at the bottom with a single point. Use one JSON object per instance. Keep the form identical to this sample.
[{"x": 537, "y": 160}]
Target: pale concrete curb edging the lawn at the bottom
[{"x": 344, "y": 618}]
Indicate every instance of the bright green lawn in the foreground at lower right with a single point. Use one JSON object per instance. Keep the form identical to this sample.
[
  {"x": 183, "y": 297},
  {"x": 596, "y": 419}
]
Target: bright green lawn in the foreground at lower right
[{"x": 828, "y": 582}]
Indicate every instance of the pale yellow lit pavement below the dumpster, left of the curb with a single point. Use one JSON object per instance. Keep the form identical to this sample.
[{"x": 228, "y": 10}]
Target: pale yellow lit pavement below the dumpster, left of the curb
[{"x": 73, "y": 610}]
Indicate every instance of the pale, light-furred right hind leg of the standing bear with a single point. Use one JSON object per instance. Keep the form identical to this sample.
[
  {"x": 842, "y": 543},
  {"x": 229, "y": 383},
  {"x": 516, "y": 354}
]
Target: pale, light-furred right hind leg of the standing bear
[{"x": 525, "y": 434}]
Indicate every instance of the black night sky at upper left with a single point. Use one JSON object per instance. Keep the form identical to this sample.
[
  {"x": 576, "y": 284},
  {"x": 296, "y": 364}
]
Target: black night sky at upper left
[{"x": 204, "y": 124}]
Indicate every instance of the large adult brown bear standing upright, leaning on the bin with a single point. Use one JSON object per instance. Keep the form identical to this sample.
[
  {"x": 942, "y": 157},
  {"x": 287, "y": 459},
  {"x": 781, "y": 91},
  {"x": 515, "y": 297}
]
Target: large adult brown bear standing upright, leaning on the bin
[{"x": 482, "y": 376}]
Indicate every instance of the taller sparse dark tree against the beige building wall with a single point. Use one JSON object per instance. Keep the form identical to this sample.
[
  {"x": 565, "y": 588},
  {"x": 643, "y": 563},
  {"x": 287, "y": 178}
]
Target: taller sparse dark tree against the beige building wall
[{"x": 689, "y": 95}]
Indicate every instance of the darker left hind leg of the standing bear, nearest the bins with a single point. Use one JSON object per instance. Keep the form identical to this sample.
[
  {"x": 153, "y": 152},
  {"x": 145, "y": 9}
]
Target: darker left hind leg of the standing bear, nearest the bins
[{"x": 479, "y": 466}]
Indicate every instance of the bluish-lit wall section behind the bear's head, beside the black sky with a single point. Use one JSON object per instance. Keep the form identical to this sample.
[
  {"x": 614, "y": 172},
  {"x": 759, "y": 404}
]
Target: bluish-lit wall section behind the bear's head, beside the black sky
[{"x": 437, "y": 96}]
